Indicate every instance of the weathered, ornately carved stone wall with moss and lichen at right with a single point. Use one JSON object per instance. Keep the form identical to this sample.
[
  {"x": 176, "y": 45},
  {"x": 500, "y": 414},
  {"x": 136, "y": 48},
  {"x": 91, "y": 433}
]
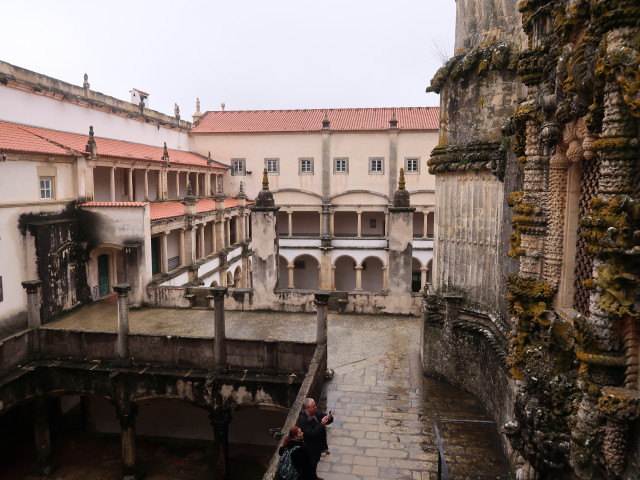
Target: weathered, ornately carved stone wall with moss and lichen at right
[{"x": 567, "y": 316}]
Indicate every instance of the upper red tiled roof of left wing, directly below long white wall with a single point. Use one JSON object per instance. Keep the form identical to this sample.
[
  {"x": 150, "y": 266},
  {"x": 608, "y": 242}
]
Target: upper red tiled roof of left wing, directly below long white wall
[{"x": 23, "y": 138}]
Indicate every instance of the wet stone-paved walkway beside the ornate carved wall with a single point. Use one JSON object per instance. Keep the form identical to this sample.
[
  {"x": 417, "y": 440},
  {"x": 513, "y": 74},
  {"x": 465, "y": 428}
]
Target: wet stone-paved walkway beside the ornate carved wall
[{"x": 384, "y": 409}]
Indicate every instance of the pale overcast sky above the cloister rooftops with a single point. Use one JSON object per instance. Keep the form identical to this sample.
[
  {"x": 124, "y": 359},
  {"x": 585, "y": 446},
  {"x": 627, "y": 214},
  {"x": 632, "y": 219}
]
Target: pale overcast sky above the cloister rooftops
[{"x": 250, "y": 54}]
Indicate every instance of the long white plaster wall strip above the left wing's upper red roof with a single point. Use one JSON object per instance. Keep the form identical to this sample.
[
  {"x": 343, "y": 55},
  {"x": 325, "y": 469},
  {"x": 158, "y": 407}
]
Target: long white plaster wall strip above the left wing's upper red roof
[{"x": 18, "y": 106}]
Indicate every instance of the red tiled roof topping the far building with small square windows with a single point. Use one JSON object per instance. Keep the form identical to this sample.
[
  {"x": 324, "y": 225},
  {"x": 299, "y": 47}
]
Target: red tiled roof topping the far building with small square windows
[{"x": 342, "y": 119}]
